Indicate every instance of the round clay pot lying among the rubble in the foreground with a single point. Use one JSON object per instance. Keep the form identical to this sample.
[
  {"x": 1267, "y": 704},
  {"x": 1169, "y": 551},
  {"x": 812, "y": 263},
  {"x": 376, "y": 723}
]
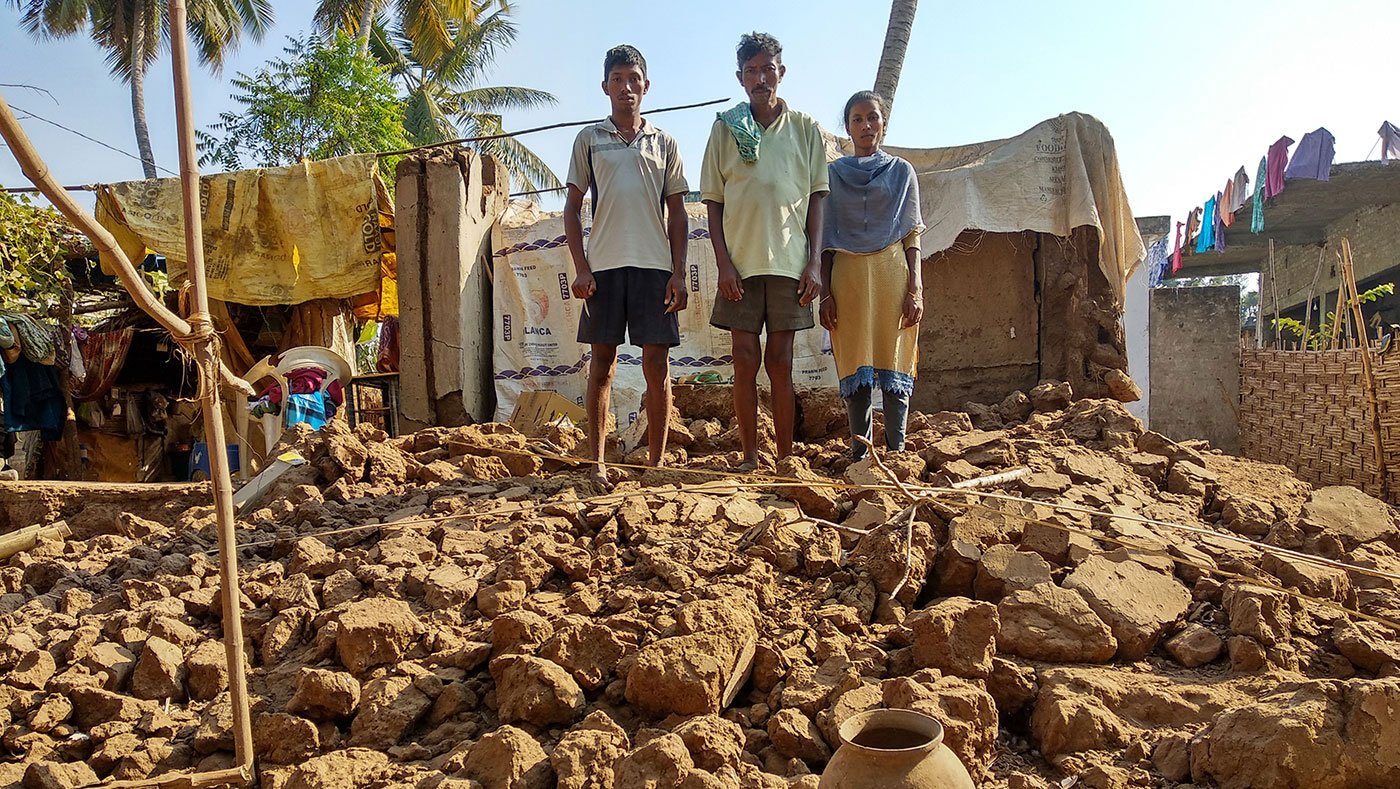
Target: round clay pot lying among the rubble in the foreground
[{"x": 894, "y": 749}]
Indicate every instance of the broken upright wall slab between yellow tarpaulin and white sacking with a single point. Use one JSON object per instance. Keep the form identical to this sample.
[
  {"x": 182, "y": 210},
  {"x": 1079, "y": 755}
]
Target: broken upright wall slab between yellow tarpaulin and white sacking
[{"x": 446, "y": 208}]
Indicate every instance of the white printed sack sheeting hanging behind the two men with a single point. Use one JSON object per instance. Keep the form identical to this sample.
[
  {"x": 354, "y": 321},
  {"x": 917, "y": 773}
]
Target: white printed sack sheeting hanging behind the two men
[{"x": 537, "y": 324}]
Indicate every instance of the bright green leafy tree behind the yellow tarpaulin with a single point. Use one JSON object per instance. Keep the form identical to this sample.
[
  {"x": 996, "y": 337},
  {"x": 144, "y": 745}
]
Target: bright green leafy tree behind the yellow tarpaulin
[{"x": 324, "y": 100}]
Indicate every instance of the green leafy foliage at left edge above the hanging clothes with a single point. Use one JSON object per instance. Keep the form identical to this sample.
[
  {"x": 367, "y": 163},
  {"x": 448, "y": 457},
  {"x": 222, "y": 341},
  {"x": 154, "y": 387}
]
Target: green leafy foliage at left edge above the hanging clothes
[{"x": 33, "y": 239}]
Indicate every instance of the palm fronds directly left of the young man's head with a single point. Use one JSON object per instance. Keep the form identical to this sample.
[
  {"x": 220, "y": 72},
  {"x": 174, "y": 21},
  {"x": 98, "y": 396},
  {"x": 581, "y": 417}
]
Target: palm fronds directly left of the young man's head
[{"x": 444, "y": 100}]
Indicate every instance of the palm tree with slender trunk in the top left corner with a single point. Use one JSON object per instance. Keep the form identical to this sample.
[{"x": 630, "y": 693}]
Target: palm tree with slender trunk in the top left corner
[{"x": 134, "y": 33}]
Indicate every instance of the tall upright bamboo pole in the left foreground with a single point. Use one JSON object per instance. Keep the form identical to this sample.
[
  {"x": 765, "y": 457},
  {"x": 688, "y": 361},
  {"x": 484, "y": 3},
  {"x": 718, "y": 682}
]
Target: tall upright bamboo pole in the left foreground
[{"x": 206, "y": 356}]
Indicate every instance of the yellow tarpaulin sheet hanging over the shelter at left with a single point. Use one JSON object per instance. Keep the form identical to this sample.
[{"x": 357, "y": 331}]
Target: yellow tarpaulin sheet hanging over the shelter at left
[{"x": 276, "y": 236}]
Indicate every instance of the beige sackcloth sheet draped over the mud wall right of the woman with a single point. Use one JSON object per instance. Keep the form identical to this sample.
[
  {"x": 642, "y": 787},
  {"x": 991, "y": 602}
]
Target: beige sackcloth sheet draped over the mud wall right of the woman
[{"x": 1058, "y": 176}]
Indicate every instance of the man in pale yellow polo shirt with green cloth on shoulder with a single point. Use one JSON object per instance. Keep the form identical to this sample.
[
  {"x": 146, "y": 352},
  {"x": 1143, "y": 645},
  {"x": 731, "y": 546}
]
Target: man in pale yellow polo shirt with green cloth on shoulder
[{"x": 764, "y": 181}]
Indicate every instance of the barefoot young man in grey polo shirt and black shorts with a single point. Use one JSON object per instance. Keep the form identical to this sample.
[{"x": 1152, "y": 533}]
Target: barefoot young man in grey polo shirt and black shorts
[{"x": 632, "y": 275}]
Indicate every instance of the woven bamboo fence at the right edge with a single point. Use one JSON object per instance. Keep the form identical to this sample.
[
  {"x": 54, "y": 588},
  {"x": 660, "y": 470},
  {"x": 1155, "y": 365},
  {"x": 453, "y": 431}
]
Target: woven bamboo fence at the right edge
[{"x": 1310, "y": 412}]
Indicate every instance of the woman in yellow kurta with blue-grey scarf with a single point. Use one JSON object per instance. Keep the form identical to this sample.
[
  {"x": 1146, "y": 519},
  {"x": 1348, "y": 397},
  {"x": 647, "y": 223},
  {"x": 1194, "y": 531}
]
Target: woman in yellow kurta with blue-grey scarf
[{"x": 873, "y": 293}]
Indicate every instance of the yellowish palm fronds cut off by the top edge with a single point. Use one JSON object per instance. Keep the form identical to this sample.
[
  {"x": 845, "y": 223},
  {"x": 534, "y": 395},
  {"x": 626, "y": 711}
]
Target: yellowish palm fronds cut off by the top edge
[{"x": 429, "y": 24}]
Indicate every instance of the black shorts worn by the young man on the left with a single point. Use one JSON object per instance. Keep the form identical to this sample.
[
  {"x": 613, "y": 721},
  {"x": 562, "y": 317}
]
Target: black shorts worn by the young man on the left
[{"x": 629, "y": 301}]
